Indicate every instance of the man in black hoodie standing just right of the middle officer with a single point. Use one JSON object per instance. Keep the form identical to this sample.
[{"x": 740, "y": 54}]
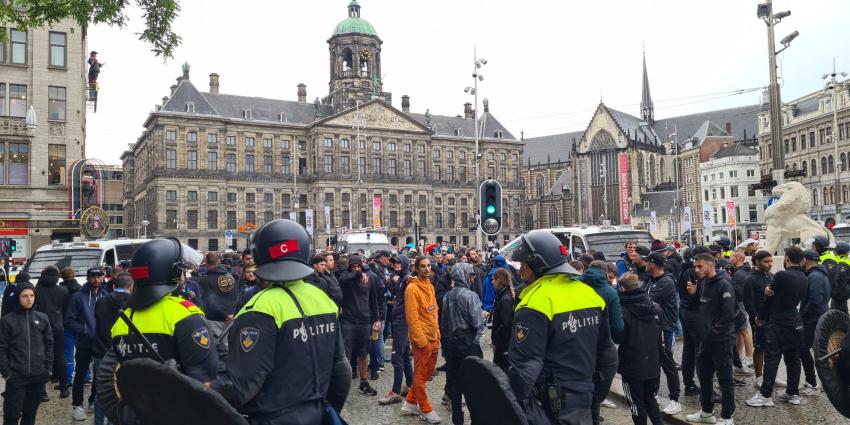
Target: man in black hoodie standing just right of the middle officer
[{"x": 359, "y": 315}]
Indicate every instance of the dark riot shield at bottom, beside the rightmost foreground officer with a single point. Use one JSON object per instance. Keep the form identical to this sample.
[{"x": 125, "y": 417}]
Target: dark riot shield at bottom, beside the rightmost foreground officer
[{"x": 488, "y": 394}]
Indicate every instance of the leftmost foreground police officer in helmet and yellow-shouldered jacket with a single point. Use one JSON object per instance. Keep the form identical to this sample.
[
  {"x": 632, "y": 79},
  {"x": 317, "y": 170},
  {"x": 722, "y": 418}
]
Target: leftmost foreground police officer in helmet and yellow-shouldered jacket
[{"x": 175, "y": 328}]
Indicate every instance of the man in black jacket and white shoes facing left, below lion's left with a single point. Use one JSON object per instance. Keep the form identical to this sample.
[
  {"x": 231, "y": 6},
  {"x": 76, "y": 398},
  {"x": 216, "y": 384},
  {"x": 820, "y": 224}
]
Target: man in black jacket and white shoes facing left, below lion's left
[{"x": 717, "y": 339}]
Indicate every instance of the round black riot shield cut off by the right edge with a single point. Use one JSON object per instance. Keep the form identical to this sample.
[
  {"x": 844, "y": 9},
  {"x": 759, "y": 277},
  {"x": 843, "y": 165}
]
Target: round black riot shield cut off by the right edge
[{"x": 834, "y": 370}]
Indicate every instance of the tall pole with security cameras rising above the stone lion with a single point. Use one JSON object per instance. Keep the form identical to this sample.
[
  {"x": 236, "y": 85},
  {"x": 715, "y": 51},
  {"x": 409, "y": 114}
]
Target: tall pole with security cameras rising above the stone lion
[{"x": 765, "y": 12}]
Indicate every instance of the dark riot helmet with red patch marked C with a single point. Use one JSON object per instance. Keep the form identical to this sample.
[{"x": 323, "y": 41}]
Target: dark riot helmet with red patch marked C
[{"x": 282, "y": 251}]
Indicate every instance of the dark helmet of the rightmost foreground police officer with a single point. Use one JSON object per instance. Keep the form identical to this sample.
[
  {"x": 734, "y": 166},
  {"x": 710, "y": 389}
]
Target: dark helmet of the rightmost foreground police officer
[{"x": 544, "y": 253}]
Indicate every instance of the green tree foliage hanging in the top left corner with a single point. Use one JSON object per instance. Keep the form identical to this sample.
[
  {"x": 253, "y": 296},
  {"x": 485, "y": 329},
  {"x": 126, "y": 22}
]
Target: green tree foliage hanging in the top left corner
[{"x": 159, "y": 16}]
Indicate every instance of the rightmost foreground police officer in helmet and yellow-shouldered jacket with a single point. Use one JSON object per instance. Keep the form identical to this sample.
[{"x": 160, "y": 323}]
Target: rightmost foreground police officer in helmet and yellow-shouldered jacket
[{"x": 560, "y": 335}]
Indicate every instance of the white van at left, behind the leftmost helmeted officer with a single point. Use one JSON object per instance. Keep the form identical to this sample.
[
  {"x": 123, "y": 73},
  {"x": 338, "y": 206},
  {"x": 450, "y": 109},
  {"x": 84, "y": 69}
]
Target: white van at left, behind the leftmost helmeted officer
[{"x": 81, "y": 256}]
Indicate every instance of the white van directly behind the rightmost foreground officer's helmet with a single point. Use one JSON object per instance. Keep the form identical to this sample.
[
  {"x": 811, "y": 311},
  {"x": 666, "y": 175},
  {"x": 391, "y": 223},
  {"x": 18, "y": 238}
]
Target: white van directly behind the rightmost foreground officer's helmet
[{"x": 610, "y": 240}]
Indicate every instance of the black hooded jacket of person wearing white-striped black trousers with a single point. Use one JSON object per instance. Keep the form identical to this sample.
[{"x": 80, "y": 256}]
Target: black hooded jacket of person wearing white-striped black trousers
[{"x": 638, "y": 351}]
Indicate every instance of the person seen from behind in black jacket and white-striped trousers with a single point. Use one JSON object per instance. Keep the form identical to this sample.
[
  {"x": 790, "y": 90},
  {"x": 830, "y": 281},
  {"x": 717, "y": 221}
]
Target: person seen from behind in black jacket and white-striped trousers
[{"x": 638, "y": 351}]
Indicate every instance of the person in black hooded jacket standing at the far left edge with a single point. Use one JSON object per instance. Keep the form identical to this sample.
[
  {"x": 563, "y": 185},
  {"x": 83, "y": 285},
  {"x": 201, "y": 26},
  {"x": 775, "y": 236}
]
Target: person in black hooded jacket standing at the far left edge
[{"x": 26, "y": 356}]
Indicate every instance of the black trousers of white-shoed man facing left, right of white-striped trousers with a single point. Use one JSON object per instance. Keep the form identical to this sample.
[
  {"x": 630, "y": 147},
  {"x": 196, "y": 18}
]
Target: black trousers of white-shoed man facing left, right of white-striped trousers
[{"x": 716, "y": 358}]
